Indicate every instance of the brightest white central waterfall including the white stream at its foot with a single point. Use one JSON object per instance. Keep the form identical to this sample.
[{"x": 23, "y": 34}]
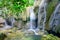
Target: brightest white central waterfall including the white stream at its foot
[{"x": 32, "y": 21}]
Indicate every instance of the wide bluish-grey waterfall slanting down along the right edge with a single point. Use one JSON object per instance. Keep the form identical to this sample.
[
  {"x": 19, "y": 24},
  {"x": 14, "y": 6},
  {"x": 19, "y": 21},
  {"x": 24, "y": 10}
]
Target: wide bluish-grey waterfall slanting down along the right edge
[{"x": 55, "y": 18}]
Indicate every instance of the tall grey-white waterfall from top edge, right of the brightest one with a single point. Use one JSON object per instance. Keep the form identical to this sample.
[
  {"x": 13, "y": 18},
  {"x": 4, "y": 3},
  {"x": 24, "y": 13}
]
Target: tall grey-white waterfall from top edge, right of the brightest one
[{"x": 42, "y": 15}]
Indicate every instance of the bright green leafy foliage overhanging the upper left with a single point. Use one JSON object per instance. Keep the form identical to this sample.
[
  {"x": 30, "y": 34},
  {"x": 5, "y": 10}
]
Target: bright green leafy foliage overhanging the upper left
[{"x": 14, "y": 7}]
